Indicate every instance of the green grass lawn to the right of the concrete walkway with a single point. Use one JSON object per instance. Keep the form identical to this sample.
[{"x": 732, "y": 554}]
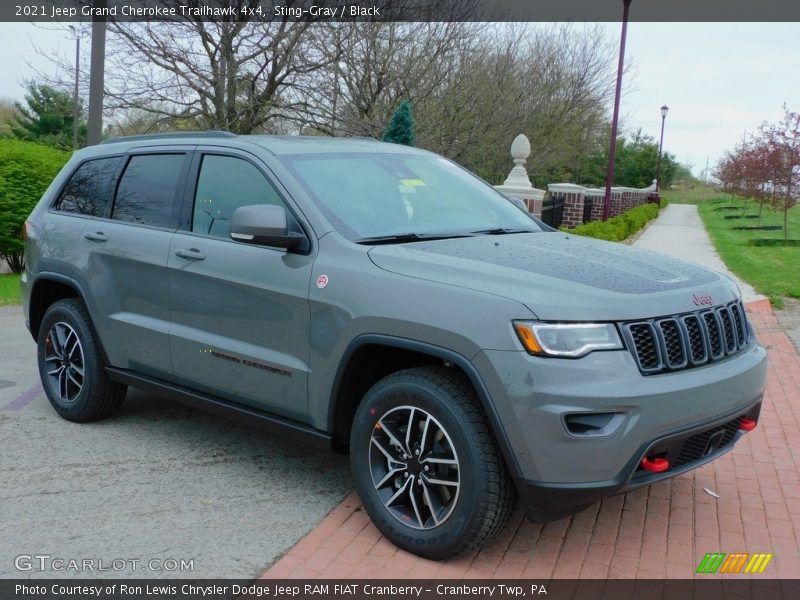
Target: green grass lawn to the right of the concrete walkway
[{"x": 773, "y": 270}]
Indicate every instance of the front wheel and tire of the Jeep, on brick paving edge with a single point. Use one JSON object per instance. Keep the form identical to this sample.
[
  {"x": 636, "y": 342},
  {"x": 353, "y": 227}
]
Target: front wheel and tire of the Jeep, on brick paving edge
[{"x": 398, "y": 487}]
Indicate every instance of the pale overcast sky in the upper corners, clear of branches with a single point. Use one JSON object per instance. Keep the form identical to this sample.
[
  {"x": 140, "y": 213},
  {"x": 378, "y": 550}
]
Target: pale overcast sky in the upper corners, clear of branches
[{"x": 718, "y": 79}]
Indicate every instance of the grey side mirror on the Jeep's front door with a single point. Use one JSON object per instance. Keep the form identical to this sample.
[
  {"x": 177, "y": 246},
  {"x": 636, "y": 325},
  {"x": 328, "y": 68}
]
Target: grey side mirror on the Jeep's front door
[{"x": 264, "y": 225}]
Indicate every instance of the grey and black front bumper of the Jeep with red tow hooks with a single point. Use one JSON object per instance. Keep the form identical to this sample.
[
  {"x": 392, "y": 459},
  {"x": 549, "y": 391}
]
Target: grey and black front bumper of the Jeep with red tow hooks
[{"x": 559, "y": 470}]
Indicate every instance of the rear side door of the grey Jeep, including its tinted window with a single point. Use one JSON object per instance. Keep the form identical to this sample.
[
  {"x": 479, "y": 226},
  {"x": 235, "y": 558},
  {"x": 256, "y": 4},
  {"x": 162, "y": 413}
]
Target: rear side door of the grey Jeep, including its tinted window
[{"x": 127, "y": 264}]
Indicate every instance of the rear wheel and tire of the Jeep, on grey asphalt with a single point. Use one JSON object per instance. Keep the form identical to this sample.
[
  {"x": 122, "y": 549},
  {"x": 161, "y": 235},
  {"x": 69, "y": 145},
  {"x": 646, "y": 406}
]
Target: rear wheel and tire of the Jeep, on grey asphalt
[{"x": 66, "y": 331}]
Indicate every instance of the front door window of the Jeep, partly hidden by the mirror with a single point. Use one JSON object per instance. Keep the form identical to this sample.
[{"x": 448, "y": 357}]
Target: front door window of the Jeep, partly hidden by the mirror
[{"x": 224, "y": 184}]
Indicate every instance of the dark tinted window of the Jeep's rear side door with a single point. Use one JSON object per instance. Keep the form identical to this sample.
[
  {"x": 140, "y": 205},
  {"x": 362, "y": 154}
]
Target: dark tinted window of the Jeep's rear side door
[{"x": 146, "y": 192}]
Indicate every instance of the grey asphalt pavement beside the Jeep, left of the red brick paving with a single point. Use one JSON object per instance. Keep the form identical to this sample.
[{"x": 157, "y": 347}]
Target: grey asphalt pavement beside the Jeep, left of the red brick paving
[{"x": 163, "y": 490}]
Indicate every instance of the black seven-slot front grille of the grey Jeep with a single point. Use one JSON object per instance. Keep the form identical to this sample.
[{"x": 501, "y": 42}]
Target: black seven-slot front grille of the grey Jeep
[{"x": 687, "y": 340}]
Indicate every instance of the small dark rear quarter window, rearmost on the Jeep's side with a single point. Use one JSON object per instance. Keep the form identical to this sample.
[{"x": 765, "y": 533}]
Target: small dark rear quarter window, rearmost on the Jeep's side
[{"x": 88, "y": 191}]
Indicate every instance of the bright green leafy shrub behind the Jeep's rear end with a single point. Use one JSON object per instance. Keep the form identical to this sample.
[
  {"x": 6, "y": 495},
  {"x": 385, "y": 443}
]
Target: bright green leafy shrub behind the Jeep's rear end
[{"x": 26, "y": 169}]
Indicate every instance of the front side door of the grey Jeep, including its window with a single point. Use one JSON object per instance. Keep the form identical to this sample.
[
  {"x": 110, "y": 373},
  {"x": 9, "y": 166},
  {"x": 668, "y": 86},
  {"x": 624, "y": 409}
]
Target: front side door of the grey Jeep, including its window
[{"x": 240, "y": 312}]
